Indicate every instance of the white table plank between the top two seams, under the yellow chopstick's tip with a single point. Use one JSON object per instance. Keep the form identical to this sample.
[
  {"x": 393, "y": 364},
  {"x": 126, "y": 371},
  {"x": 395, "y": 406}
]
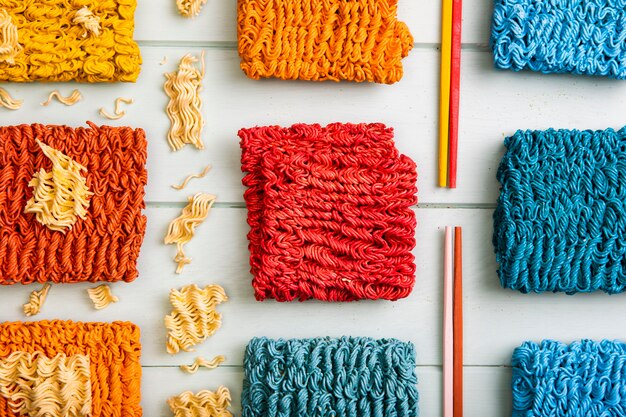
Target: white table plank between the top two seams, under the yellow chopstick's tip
[{"x": 494, "y": 104}]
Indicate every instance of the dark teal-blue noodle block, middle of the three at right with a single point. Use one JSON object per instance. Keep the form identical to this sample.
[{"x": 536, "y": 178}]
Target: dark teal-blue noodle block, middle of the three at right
[{"x": 560, "y": 221}]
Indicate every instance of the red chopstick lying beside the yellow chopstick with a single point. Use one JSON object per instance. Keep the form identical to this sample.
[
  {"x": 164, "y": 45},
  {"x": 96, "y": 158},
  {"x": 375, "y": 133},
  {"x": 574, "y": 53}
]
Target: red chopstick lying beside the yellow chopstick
[{"x": 455, "y": 85}]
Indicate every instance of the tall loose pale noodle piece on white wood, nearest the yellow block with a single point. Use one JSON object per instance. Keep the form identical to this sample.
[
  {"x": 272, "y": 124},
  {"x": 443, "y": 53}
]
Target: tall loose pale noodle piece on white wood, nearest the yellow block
[{"x": 185, "y": 106}]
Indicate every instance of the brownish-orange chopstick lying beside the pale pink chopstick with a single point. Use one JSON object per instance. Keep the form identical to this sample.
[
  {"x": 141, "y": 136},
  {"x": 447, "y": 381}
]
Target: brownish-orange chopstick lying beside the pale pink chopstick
[{"x": 458, "y": 323}]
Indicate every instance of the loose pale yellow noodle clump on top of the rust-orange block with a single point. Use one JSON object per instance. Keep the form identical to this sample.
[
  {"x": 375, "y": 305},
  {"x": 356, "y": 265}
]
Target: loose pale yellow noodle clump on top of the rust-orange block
[{"x": 60, "y": 196}]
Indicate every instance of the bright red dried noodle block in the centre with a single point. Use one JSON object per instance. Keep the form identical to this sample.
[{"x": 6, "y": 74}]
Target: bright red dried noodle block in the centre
[{"x": 330, "y": 211}]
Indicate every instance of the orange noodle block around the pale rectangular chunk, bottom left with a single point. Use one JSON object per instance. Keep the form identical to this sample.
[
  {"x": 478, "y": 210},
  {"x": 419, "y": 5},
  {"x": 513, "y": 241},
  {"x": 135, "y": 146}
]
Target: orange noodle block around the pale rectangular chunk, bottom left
[{"x": 113, "y": 352}]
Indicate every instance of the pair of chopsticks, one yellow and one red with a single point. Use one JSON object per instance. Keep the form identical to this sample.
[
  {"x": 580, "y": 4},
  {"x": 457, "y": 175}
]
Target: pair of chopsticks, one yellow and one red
[{"x": 452, "y": 14}]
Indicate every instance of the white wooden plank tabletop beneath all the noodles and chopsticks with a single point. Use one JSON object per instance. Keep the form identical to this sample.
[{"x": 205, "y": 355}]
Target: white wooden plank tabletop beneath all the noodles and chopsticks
[{"x": 493, "y": 104}]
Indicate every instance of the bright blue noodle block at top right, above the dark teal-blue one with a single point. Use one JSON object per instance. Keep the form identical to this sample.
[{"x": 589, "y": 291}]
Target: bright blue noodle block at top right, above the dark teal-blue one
[{"x": 561, "y": 36}]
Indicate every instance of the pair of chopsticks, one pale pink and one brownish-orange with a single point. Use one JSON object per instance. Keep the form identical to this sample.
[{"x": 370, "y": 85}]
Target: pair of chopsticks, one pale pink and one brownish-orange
[{"x": 453, "y": 324}]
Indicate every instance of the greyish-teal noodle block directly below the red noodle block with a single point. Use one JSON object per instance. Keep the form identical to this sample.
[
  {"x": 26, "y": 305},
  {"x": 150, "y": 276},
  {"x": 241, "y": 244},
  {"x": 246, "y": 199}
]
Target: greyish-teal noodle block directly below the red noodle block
[{"x": 326, "y": 377}]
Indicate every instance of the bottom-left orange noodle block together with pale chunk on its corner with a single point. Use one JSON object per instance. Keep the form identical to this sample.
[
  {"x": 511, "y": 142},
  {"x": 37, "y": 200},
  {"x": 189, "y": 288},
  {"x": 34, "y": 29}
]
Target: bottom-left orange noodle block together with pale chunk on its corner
[{"x": 67, "y": 353}]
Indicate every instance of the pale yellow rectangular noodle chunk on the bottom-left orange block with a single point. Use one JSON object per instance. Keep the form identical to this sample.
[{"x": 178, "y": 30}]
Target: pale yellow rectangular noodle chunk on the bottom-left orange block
[{"x": 38, "y": 386}]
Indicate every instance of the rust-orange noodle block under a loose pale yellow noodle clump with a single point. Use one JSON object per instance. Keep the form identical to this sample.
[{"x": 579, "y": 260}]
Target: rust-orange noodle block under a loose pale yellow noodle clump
[{"x": 103, "y": 246}]
